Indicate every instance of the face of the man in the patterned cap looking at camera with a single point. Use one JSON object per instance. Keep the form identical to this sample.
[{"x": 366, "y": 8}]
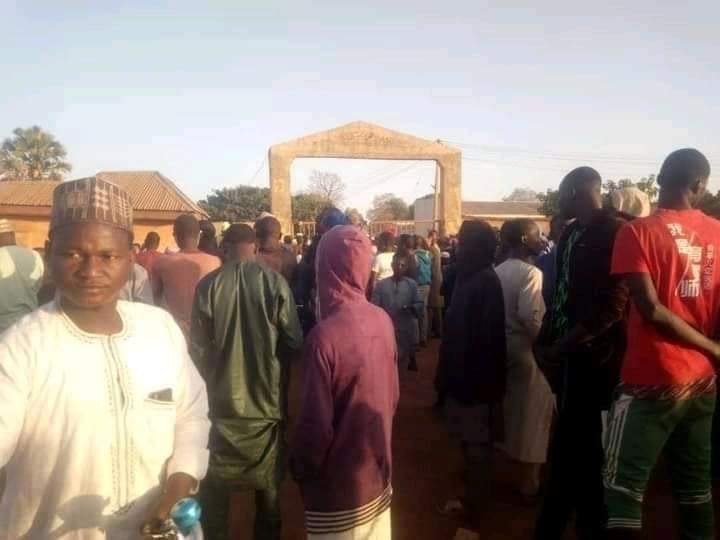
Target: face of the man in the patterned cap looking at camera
[{"x": 90, "y": 263}]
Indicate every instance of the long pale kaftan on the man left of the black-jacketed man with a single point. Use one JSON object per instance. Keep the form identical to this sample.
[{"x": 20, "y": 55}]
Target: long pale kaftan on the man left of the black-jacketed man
[{"x": 529, "y": 401}]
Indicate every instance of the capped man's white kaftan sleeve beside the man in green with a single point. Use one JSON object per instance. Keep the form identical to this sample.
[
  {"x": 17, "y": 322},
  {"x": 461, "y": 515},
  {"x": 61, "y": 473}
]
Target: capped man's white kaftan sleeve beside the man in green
[{"x": 192, "y": 426}]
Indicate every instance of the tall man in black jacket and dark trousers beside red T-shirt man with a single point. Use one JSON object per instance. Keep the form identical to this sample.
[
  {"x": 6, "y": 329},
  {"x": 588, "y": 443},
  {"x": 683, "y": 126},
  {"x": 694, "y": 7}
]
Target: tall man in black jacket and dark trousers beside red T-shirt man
[{"x": 580, "y": 349}]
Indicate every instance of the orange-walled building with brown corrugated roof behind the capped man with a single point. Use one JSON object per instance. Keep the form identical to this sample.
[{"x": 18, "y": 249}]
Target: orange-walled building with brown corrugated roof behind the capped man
[{"x": 157, "y": 202}]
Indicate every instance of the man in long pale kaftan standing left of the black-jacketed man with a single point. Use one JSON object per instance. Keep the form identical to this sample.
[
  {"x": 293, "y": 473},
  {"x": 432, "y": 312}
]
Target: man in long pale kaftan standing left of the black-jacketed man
[{"x": 529, "y": 402}]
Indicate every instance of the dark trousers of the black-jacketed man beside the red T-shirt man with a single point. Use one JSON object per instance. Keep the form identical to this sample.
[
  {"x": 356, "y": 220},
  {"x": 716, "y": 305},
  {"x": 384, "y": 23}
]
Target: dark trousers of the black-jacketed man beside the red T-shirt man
[{"x": 575, "y": 484}]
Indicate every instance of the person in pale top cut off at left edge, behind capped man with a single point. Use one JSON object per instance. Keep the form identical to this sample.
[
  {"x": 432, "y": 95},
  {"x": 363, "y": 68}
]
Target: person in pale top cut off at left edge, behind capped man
[{"x": 21, "y": 276}]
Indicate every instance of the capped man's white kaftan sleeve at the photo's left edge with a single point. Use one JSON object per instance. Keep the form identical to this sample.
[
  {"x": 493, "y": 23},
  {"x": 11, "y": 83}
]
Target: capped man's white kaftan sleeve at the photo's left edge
[{"x": 15, "y": 384}]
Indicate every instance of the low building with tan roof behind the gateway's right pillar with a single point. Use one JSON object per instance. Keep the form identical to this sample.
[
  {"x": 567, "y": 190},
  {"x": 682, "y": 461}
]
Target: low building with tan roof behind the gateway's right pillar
[{"x": 494, "y": 212}]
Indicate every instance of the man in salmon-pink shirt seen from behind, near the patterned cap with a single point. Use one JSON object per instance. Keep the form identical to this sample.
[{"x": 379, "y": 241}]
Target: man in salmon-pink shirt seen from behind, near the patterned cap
[{"x": 176, "y": 276}]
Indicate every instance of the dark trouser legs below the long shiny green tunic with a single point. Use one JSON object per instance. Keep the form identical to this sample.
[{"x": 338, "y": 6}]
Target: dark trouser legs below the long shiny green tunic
[{"x": 215, "y": 498}]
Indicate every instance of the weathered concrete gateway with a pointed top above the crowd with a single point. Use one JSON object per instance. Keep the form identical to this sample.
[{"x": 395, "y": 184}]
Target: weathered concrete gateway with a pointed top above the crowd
[{"x": 361, "y": 140}]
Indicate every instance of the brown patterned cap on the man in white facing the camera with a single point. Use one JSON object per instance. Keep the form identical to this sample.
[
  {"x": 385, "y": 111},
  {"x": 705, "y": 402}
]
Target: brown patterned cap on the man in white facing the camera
[{"x": 91, "y": 200}]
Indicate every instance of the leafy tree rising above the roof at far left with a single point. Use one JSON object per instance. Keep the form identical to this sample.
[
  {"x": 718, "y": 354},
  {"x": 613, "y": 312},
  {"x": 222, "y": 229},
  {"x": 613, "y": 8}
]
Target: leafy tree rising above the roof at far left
[{"x": 33, "y": 154}]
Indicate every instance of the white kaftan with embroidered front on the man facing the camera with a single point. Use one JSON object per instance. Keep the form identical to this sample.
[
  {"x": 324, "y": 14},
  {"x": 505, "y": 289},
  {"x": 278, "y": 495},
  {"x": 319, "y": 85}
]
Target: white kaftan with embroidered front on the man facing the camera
[{"x": 90, "y": 425}]
